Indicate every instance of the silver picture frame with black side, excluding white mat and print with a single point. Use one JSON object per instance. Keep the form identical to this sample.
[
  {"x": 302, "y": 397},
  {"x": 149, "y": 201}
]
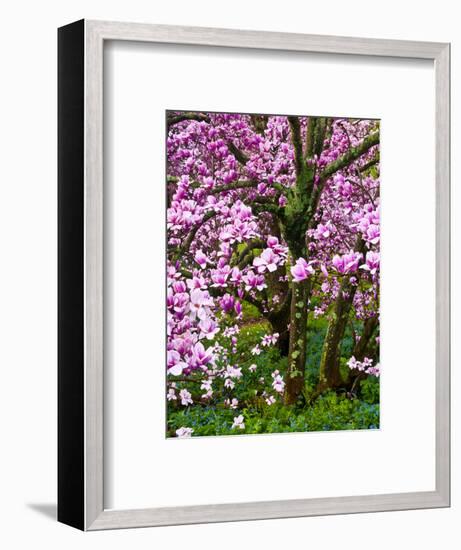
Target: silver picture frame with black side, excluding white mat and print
[{"x": 80, "y": 312}]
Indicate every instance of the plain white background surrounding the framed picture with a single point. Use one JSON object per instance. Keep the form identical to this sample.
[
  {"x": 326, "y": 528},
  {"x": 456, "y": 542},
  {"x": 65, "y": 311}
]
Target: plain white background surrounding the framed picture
[{"x": 28, "y": 274}]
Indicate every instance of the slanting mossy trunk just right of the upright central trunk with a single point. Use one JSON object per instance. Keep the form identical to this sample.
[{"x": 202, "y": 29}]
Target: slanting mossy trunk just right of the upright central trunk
[{"x": 330, "y": 376}]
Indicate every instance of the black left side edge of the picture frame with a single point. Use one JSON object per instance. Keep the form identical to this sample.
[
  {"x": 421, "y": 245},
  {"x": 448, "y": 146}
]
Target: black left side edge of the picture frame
[{"x": 71, "y": 453}]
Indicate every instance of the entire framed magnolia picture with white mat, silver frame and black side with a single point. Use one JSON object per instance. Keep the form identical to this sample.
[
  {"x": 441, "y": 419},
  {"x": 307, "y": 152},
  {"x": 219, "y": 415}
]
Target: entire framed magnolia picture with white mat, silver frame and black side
[{"x": 243, "y": 333}]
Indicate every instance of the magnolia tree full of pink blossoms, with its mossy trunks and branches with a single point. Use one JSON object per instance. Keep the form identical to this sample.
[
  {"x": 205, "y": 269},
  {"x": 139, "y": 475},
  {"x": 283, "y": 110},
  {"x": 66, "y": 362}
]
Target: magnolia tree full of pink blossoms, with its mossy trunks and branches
[{"x": 282, "y": 213}]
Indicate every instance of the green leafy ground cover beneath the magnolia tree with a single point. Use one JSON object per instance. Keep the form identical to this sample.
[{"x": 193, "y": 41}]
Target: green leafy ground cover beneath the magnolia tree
[{"x": 329, "y": 411}]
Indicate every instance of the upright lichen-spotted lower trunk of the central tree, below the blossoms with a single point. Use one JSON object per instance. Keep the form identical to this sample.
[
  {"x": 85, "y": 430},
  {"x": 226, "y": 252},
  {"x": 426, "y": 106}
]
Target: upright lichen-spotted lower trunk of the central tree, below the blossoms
[{"x": 297, "y": 346}]
